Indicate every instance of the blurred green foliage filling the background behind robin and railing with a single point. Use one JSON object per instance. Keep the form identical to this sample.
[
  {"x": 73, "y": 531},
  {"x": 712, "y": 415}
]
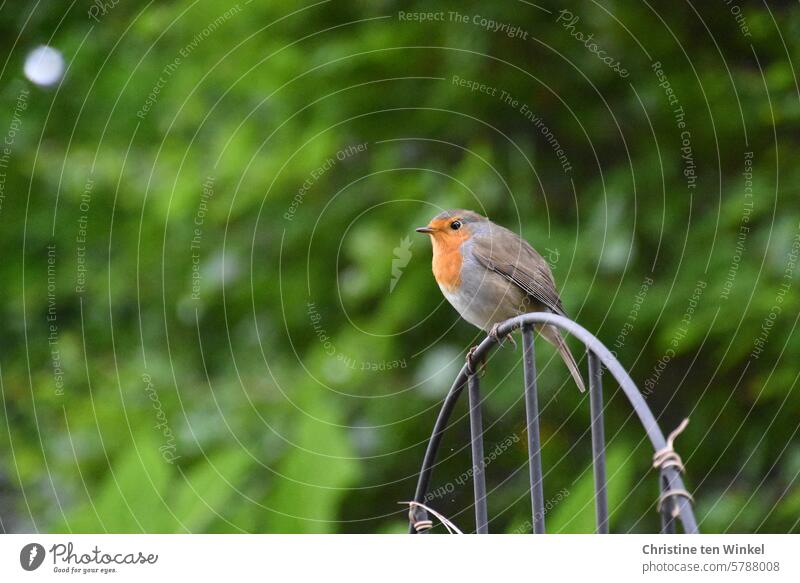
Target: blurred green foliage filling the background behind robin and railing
[{"x": 296, "y": 393}]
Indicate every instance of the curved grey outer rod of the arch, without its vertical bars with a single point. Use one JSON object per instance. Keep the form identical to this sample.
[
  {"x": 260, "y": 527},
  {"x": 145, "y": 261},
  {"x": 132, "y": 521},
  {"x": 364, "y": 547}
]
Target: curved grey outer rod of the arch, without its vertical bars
[{"x": 611, "y": 363}]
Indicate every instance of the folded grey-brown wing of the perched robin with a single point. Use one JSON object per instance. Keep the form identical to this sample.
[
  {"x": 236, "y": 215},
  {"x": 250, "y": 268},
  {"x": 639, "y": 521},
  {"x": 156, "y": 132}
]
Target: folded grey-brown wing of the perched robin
[{"x": 513, "y": 258}]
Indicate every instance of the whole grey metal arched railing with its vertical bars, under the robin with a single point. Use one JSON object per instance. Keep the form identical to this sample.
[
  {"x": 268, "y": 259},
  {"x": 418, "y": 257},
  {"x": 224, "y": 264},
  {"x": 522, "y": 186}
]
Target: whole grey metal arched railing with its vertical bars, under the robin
[{"x": 674, "y": 502}]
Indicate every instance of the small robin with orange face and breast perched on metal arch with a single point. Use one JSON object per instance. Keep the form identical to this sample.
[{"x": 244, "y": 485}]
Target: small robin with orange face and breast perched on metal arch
[{"x": 490, "y": 274}]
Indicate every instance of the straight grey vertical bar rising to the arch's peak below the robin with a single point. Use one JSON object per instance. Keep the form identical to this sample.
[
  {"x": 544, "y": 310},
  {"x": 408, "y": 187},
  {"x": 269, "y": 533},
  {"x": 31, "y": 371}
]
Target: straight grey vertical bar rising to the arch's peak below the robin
[{"x": 534, "y": 445}]
